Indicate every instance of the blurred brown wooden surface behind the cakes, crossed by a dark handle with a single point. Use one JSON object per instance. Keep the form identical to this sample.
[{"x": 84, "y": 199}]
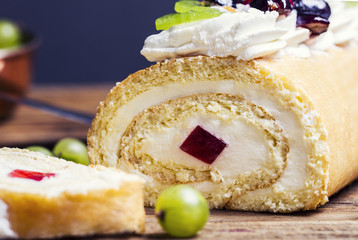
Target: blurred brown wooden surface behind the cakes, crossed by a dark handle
[{"x": 31, "y": 126}]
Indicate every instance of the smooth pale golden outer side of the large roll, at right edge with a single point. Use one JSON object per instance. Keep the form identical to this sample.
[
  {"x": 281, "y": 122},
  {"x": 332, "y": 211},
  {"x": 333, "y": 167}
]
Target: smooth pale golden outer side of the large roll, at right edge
[{"x": 331, "y": 81}]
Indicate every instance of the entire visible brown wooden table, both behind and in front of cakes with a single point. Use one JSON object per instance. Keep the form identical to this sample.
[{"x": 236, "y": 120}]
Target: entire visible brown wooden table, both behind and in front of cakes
[{"x": 338, "y": 219}]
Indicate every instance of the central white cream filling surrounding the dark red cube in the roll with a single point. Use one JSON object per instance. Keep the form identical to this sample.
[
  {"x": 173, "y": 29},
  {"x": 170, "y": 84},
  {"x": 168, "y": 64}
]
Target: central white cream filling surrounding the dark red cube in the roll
[{"x": 245, "y": 144}]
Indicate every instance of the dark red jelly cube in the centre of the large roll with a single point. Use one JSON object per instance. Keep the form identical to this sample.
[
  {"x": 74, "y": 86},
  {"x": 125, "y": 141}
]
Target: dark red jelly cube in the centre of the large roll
[{"x": 203, "y": 145}]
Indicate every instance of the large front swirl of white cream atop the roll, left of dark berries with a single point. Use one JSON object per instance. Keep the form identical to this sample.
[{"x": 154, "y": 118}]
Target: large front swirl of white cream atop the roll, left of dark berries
[{"x": 246, "y": 34}]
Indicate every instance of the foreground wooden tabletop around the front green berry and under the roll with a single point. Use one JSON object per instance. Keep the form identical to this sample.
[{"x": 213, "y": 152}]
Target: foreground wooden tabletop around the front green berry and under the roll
[{"x": 338, "y": 219}]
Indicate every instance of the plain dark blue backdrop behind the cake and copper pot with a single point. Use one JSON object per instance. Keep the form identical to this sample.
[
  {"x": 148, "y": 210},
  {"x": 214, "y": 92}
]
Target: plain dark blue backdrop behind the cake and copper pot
[{"x": 87, "y": 41}]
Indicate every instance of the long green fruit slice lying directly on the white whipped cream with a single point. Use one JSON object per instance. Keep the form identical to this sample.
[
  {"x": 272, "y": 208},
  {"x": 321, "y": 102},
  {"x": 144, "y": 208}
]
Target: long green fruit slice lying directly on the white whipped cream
[{"x": 172, "y": 19}]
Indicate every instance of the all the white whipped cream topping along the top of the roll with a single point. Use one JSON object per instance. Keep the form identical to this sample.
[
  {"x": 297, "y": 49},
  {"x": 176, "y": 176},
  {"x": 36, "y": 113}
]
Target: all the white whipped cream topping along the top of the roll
[{"x": 250, "y": 33}]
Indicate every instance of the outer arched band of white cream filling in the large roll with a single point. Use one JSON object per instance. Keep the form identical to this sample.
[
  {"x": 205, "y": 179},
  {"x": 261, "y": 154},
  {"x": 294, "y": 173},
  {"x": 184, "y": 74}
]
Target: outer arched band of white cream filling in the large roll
[{"x": 294, "y": 175}]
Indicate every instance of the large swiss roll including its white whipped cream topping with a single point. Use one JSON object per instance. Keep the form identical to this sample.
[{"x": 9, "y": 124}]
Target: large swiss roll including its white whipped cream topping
[{"x": 268, "y": 124}]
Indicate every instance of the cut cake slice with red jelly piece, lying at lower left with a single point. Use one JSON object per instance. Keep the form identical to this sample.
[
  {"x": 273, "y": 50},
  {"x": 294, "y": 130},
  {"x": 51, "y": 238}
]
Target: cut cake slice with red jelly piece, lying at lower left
[{"x": 46, "y": 197}]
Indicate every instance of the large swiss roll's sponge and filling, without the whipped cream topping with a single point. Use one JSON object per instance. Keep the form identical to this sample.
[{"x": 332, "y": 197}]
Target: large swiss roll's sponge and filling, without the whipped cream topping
[{"x": 256, "y": 135}]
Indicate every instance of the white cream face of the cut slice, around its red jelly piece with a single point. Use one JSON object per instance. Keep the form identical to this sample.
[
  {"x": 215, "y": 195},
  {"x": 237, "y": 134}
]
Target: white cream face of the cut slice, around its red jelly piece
[{"x": 70, "y": 177}]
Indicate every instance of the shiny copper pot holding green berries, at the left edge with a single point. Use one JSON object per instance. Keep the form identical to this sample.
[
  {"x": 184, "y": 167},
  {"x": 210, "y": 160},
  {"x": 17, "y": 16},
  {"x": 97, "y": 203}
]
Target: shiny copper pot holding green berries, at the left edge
[{"x": 16, "y": 71}]
